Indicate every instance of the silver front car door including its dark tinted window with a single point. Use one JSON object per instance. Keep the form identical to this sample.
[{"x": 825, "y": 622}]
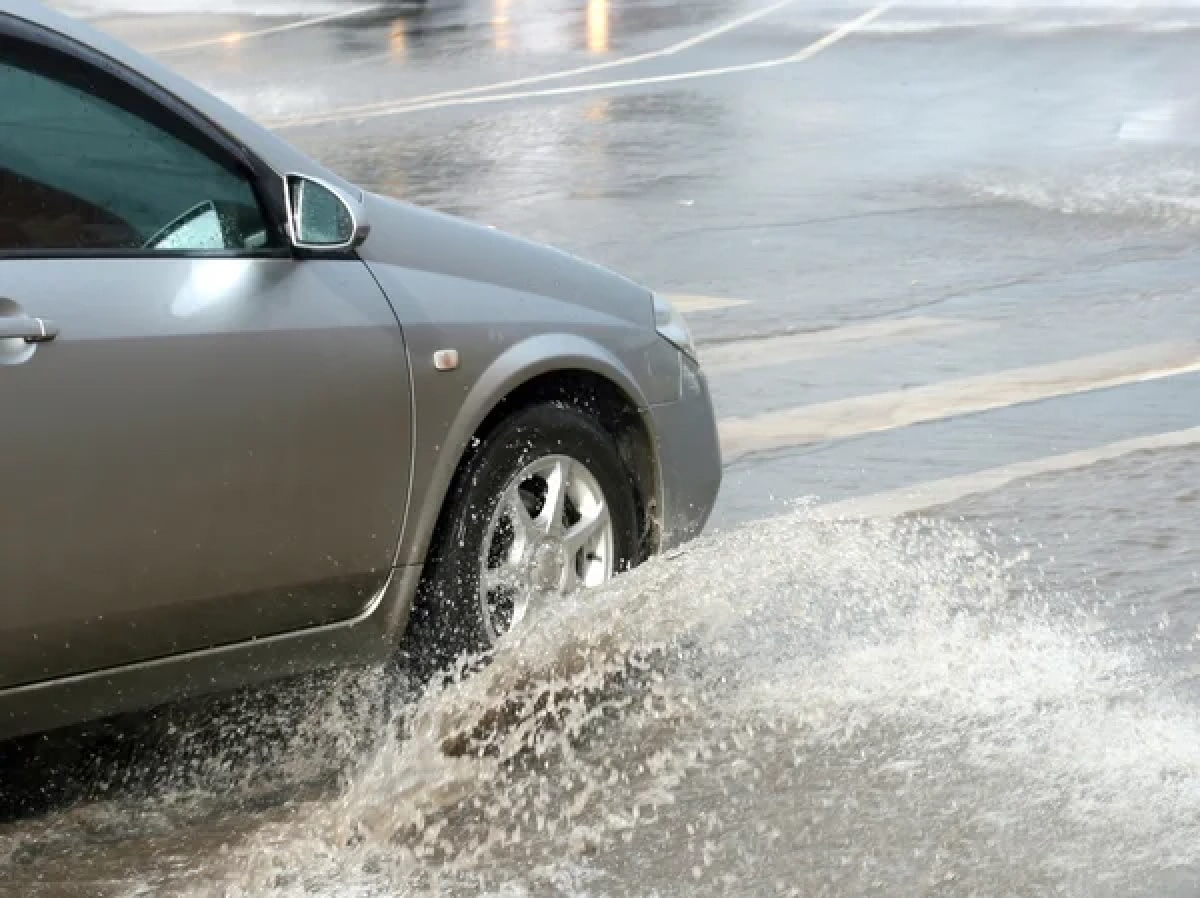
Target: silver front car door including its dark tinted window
[{"x": 203, "y": 438}]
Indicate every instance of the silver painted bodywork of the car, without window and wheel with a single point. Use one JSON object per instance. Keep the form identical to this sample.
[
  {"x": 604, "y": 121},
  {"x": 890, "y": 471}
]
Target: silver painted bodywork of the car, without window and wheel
[{"x": 283, "y": 422}]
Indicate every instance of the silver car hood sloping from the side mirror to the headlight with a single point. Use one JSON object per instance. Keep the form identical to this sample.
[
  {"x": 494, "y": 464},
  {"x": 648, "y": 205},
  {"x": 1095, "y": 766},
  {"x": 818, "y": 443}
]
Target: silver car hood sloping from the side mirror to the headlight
[{"x": 422, "y": 240}]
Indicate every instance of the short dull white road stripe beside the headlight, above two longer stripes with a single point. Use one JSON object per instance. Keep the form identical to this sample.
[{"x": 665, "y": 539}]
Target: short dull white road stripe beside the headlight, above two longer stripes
[{"x": 765, "y": 352}]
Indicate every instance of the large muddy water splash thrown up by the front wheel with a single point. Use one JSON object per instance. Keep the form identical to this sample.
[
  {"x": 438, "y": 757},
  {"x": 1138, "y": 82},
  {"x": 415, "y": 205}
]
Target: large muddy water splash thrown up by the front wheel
[{"x": 797, "y": 708}]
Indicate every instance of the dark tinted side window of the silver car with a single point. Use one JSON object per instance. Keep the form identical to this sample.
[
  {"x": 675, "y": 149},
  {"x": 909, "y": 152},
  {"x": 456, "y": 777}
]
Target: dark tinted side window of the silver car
[{"x": 79, "y": 172}]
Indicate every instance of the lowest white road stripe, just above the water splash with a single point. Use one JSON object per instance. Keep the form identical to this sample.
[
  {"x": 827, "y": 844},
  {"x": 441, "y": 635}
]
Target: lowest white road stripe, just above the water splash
[{"x": 934, "y": 494}]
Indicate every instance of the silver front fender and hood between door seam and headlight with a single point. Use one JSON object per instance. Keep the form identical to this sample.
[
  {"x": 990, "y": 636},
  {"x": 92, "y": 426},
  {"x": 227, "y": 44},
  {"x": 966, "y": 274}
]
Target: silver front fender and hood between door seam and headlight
[{"x": 512, "y": 310}]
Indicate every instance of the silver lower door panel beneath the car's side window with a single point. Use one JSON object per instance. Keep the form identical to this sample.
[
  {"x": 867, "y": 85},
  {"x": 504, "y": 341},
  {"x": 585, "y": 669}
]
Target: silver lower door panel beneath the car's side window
[{"x": 213, "y": 451}]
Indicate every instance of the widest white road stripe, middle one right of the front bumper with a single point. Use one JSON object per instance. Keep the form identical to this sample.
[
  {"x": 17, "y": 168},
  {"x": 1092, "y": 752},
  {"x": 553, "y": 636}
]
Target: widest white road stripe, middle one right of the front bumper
[{"x": 806, "y": 426}]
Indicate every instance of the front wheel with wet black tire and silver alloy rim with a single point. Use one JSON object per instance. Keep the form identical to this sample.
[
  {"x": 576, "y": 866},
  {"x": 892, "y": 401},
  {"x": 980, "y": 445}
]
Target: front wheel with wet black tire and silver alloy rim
[{"x": 452, "y": 619}]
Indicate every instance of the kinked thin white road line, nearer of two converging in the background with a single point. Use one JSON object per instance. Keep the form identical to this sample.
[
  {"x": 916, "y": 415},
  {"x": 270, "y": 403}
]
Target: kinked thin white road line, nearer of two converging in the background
[{"x": 411, "y": 106}]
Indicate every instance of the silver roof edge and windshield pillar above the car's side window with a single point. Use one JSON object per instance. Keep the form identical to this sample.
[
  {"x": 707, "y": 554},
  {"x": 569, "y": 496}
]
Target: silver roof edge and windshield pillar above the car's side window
[{"x": 269, "y": 148}]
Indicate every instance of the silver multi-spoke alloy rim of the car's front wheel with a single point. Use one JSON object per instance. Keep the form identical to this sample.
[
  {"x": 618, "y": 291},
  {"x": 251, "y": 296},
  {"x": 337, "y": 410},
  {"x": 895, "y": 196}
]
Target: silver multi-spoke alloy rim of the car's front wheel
[{"x": 551, "y": 535}]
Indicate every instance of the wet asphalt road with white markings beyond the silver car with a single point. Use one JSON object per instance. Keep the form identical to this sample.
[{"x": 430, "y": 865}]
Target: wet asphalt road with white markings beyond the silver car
[{"x": 916, "y": 246}]
